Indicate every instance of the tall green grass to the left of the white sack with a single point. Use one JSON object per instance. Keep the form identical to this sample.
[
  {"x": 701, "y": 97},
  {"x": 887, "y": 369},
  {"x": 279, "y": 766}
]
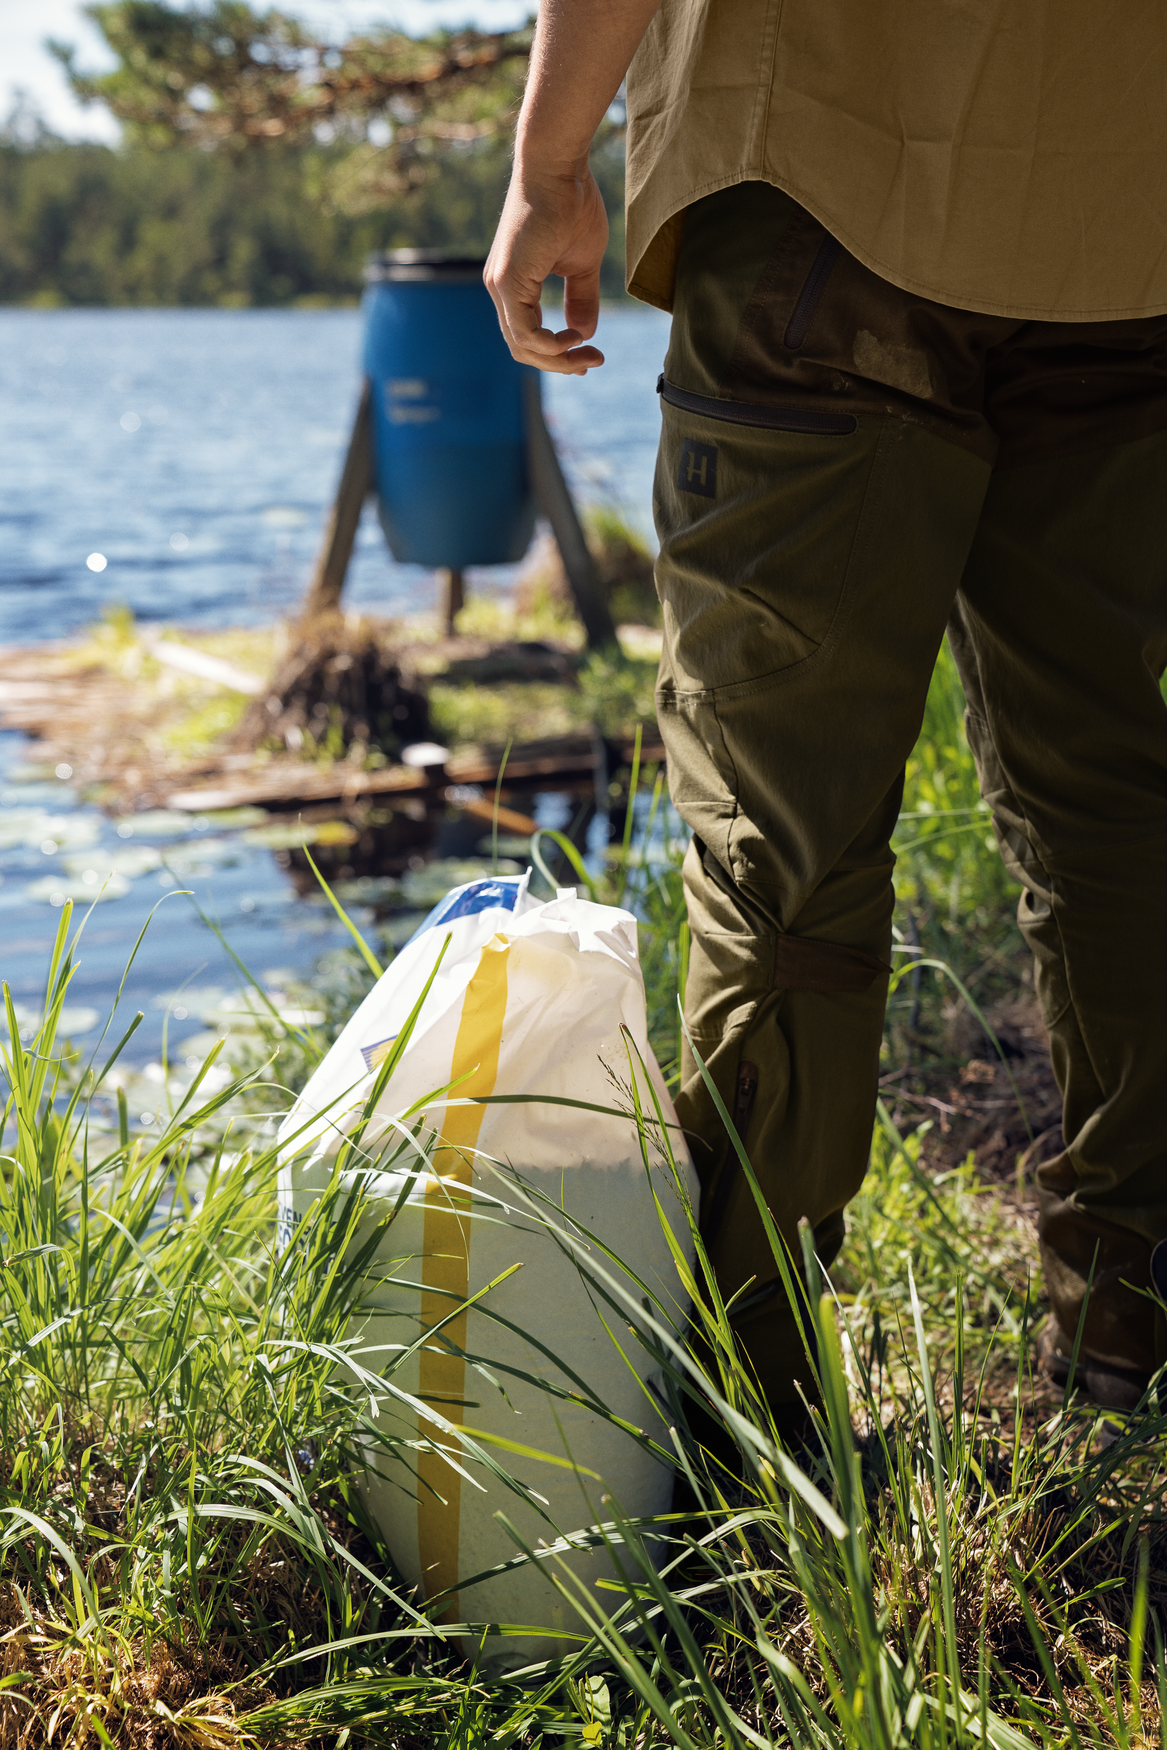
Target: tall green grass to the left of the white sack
[{"x": 176, "y": 1513}]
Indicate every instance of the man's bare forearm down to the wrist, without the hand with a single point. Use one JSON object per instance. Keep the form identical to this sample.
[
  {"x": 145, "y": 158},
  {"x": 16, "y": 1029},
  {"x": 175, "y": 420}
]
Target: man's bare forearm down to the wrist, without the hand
[{"x": 578, "y": 62}]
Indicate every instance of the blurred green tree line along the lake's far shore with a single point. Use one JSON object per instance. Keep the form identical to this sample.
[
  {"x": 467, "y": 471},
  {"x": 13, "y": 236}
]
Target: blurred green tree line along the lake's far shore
[{"x": 87, "y": 225}]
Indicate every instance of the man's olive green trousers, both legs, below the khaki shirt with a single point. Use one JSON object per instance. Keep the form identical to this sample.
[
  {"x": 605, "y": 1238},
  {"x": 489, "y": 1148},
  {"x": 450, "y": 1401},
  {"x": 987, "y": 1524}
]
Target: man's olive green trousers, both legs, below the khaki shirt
[{"x": 846, "y": 472}]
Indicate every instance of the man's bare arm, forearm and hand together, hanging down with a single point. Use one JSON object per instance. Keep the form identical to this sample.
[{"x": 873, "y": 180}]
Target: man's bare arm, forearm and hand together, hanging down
[{"x": 554, "y": 218}]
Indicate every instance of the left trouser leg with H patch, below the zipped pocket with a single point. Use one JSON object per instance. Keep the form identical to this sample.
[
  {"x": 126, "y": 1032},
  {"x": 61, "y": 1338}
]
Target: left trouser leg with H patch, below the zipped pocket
[{"x": 804, "y": 606}]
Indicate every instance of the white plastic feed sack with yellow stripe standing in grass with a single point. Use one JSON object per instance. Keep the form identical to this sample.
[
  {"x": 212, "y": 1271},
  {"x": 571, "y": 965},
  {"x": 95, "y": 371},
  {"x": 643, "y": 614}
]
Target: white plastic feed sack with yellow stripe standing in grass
[{"x": 529, "y": 1000}]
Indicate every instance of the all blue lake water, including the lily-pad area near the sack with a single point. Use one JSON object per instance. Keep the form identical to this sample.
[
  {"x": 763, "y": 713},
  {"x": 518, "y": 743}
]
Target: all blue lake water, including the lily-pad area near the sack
[{"x": 199, "y": 452}]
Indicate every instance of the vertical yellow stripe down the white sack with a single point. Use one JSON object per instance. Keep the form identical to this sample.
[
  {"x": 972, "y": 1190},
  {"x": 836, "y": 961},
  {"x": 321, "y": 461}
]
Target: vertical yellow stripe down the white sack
[{"x": 447, "y": 1264}]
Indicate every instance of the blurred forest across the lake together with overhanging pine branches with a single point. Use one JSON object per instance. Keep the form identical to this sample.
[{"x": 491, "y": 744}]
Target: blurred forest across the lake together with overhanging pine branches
[{"x": 260, "y": 165}]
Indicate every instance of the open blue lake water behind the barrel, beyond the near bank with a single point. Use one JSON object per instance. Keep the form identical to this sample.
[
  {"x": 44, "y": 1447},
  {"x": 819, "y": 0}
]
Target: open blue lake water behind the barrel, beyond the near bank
[{"x": 199, "y": 451}]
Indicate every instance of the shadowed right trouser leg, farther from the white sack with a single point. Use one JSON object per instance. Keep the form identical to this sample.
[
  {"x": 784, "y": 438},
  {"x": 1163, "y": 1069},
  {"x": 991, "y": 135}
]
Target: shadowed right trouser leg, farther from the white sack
[{"x": 1061, "y": 636}]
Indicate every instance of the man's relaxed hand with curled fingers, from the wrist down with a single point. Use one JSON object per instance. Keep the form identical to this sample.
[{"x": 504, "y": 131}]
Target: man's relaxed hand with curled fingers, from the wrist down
[{"x": 550, "y": 225}]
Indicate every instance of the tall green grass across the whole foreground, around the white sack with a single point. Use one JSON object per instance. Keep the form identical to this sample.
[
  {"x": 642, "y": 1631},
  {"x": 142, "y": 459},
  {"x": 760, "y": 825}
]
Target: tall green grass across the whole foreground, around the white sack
[{"x": 951, "y": 1560}]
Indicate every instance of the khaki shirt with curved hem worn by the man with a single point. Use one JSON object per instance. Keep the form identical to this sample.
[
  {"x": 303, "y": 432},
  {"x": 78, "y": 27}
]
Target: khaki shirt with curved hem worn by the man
[{"x": 995, "y": 157}]
